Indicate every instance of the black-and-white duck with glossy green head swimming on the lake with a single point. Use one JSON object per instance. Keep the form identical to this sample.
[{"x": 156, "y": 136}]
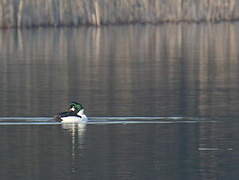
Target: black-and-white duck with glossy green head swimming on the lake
[{"x": 75, "y": 114}]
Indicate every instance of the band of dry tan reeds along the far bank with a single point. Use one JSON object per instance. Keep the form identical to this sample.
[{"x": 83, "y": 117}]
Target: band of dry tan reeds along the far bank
[{"x": 31, "y": 13}]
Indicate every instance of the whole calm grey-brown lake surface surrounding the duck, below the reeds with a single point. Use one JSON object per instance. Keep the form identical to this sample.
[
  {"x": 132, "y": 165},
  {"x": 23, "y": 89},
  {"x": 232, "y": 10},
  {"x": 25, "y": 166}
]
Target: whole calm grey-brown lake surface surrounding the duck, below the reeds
[{"x": 188, "y": 71}]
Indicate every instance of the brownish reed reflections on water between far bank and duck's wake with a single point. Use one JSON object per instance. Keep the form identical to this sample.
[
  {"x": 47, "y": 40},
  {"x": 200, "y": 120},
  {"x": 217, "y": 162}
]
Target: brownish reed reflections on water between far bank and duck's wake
[{"x": 166, "y": 70}]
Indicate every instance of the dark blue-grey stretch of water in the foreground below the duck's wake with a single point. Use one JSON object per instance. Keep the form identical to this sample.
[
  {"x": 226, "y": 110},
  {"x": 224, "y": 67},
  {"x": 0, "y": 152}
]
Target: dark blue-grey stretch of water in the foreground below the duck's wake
[{"x": 200, "y": 151}]
